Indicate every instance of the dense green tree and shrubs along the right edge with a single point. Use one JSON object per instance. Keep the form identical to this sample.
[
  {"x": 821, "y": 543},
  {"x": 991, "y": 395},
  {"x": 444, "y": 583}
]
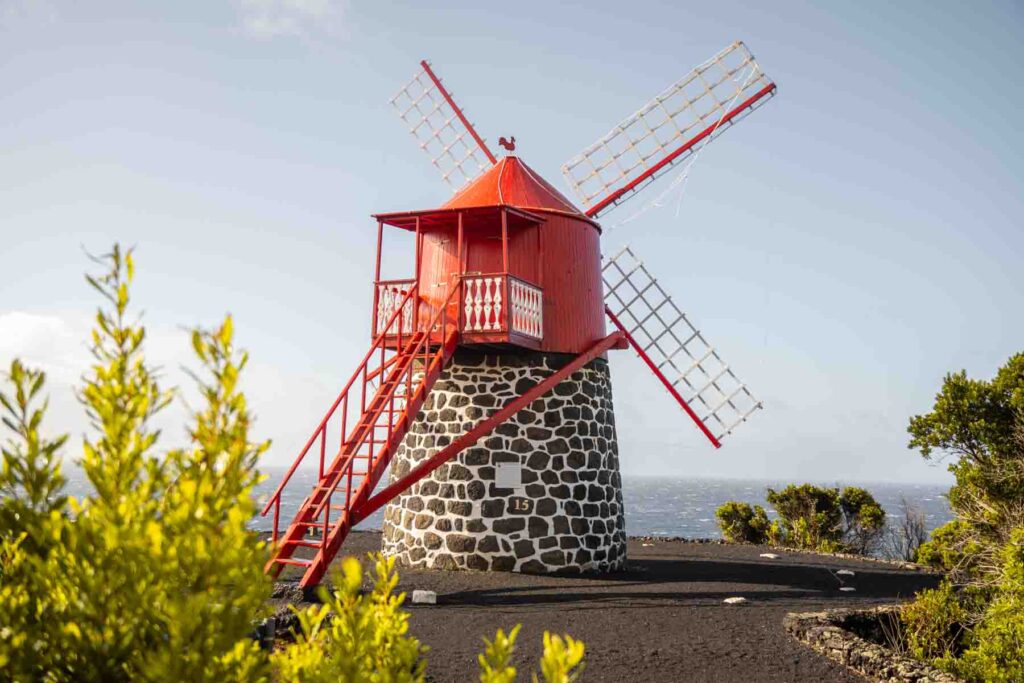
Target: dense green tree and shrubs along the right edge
[{"x": 980, "y": 424}]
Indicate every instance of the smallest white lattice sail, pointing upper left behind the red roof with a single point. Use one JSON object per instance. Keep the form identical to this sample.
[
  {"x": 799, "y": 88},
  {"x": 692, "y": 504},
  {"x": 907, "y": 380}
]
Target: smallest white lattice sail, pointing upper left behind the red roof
[{"x": 442, "y": 130}]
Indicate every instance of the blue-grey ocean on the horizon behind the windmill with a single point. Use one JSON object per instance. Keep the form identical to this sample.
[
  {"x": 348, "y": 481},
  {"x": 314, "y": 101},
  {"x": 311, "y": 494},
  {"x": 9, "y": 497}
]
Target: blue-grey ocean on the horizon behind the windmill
[{"x": 655, "y": 506}]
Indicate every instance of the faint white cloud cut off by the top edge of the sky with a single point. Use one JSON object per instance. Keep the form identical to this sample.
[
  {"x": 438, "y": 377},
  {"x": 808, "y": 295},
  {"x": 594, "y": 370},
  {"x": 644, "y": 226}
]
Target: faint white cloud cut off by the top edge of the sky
[{"x": 267, "y": 20}]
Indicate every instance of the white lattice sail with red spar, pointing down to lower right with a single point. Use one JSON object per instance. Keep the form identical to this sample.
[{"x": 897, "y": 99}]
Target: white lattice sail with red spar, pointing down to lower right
[{"x": 675, "y": 348}]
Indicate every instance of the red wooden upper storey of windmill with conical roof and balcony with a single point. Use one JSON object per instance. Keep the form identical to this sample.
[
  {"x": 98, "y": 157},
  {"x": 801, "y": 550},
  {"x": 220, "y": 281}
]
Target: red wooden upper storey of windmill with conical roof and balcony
[{"x": 527, "y": 262}]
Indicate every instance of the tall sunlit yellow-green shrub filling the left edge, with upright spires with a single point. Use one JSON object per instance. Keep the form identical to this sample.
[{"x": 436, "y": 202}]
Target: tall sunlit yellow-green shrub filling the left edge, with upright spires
[{"x": 154, "y": 576}]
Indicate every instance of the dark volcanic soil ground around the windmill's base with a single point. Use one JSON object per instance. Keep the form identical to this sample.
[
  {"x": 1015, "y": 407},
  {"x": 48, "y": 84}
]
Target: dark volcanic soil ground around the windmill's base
[{"x": 663, "y": 620}]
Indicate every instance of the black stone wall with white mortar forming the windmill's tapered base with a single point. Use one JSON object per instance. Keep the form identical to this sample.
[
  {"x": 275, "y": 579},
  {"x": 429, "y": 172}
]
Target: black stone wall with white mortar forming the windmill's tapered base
[{"x": 567, "y": 517}]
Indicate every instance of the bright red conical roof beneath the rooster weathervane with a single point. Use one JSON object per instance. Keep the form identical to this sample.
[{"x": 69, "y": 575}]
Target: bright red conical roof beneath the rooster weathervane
[{"x": 511, "y": 183}]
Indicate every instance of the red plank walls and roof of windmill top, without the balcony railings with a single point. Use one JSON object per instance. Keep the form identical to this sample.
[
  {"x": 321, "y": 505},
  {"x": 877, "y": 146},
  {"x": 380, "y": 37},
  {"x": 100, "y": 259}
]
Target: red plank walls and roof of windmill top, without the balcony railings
[{"x": 552, "y": 246}]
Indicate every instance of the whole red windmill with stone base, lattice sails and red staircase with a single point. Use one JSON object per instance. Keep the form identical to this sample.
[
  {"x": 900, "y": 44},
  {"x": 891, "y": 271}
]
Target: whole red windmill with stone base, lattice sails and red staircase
[{"x": 486, "y": 394}]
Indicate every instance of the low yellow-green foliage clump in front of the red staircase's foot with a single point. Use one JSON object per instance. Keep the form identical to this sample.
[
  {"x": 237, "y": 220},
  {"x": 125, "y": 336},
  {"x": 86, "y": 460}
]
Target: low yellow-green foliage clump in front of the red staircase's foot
[{"x": 353, "y": 638}]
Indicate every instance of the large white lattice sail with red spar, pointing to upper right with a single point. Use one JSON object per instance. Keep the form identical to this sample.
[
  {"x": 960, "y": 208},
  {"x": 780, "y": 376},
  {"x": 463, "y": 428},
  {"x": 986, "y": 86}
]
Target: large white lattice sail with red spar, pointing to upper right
[{"x": 665, "y": 132}]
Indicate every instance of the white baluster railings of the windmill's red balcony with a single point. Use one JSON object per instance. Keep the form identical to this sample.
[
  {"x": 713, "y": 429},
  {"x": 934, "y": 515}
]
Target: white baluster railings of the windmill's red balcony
[{"x": 493, "y": 309}]
